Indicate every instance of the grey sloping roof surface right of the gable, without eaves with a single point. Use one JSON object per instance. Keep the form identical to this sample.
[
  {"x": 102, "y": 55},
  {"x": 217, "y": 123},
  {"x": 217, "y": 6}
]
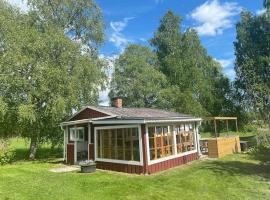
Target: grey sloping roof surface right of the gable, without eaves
[{"x": 140, "y": 113}]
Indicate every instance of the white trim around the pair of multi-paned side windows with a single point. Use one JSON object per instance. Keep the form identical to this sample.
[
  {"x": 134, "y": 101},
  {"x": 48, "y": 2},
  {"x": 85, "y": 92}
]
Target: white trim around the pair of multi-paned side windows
[{"x": 151, "y": 162}]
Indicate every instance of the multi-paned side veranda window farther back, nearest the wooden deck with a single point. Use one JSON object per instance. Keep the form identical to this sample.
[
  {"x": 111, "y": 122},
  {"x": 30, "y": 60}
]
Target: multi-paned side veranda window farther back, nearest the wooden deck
[{"x": 184, "y": 137}]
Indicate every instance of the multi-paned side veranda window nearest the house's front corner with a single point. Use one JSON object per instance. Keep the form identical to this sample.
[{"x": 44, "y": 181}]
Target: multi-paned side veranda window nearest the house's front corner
[{"x": 160, "y": 141}]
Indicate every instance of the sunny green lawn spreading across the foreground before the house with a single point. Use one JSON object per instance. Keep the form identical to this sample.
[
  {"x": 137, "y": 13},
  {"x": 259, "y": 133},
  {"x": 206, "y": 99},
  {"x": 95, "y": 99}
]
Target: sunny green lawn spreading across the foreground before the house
[{"x": 233, "y": 177}]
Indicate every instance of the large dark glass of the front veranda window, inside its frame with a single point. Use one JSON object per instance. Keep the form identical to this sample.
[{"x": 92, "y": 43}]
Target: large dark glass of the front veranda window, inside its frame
[{"x": 118, "y": 144}]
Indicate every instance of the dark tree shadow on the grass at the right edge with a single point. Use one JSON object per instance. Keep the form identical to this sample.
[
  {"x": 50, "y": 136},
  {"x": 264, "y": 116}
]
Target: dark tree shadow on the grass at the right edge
[{"x": 224, "y": 167}]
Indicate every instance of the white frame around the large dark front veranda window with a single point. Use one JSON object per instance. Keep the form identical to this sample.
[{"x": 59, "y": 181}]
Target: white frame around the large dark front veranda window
[{"x": 140, "y": 163}]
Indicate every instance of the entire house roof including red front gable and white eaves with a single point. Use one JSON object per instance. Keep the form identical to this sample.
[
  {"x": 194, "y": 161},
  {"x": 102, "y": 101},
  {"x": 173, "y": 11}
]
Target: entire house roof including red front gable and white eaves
[{"x": 116, "y": 115}]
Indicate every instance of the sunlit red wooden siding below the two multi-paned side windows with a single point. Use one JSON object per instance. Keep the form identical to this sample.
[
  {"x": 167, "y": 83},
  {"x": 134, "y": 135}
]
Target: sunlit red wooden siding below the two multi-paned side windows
[{"x": 171, "y": 163}]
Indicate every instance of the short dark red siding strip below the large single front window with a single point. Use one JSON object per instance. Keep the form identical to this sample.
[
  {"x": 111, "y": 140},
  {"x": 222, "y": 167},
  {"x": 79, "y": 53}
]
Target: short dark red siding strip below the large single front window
[{"x": 132, "y": 169}]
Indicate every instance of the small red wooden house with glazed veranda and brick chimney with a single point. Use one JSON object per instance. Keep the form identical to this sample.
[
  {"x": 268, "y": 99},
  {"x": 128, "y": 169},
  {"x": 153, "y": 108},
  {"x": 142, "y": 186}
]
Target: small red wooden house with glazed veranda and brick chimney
[{"x": 132, "y": 140}]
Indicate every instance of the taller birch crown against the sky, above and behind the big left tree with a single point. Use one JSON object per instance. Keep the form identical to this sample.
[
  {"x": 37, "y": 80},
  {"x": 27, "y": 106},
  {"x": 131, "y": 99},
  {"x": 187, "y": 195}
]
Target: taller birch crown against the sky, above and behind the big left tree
[{"x": 81, "y": 19}]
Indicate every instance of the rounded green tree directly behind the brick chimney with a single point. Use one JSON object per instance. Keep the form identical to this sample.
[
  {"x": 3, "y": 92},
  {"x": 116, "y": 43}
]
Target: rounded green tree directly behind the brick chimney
[{"x": 137, "y": 79}]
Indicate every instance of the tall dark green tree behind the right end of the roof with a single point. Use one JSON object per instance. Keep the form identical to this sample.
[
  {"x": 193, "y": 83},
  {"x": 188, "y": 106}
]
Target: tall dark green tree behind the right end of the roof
[{"x": 194, "y": 76}]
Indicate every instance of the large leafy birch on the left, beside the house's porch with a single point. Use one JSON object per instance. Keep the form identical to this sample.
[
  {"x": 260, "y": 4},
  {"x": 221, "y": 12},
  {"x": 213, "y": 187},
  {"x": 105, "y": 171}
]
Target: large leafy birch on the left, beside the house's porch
[{"x": 44, "y": 76}]
